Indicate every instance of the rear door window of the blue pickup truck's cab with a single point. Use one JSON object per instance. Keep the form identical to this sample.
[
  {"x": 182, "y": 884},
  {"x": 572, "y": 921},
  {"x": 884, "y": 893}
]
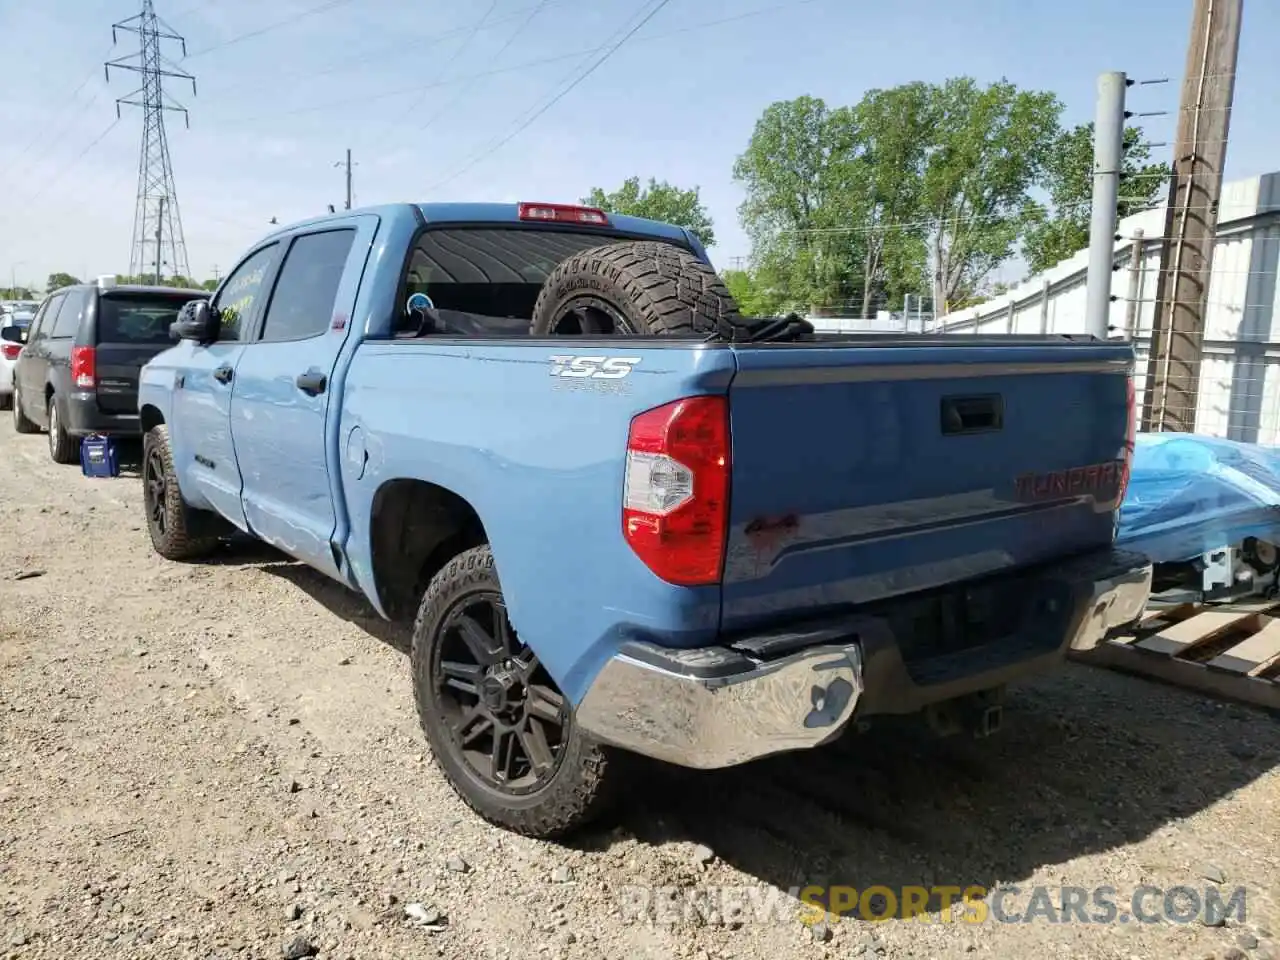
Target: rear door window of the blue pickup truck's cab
[{"x": 308, "y": 289}]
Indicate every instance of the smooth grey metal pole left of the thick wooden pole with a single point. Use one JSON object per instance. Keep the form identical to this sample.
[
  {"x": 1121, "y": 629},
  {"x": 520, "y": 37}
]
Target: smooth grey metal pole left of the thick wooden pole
[{"x": 1108, "y": 159}]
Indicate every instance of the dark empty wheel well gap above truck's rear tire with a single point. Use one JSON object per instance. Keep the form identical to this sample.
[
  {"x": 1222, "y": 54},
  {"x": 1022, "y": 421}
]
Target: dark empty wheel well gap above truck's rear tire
[{"x": 418, "y": 528}]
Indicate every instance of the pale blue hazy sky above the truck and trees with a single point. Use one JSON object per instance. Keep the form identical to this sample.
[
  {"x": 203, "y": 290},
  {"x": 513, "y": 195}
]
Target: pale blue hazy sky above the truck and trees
[{"x": 452, "y": 100}]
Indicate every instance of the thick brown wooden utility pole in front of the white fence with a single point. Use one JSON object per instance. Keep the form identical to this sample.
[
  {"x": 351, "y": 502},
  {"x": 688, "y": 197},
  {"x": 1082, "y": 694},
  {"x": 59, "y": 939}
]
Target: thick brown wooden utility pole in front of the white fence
[{"x": 1191, "y": 222}]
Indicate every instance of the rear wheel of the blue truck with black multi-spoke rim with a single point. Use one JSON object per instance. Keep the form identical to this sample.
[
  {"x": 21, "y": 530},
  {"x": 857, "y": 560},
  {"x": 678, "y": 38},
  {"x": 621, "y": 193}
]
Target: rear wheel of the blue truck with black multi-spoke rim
[{"x": 499, "y": 726}]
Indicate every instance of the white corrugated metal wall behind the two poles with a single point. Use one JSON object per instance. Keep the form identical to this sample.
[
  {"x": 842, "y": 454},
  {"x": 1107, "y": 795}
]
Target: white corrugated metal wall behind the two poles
[{"x": 1240, "y": 382}]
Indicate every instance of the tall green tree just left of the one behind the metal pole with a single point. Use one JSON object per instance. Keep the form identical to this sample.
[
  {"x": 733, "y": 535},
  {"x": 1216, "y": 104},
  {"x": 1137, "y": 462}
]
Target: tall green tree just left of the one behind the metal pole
[{"x": 990, "y": 149}]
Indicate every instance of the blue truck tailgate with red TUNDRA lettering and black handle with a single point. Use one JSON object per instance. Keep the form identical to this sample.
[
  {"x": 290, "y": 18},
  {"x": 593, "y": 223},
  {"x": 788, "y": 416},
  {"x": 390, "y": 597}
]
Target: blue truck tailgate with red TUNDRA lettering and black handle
[{"x": 866, "y": 472}]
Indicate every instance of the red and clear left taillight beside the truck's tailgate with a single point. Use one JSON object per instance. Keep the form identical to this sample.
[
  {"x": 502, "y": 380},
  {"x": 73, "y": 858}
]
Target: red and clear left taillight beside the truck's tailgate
[{"x": 675, "y": 501}]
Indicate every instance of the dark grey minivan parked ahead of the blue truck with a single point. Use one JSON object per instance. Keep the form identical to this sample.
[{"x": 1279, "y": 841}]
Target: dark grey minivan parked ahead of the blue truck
[{"x": 79, "y": 373}]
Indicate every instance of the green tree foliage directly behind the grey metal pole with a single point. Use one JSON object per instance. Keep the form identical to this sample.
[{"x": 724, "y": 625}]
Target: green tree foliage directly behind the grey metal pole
[{"x": 1063, "y": 228}]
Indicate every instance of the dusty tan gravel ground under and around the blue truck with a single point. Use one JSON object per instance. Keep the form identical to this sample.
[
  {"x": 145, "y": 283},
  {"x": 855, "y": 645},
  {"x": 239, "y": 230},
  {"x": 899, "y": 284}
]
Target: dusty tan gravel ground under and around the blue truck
[{"x": 223, "y": 761}]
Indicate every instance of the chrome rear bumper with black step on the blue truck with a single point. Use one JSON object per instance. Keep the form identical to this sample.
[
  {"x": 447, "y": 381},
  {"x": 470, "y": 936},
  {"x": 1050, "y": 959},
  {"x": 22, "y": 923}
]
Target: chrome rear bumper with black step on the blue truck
[{"x": 798, "y": 689}]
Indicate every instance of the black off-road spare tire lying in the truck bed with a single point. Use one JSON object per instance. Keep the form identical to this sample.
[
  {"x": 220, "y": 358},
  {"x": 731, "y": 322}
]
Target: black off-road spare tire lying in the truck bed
[{"x": 644, "y": 287}]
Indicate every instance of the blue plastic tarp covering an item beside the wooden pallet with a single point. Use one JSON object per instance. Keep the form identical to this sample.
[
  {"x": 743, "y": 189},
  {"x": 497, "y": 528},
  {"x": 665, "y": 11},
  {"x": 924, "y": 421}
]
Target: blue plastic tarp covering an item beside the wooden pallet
[{"x": 1191, "y": 495}]
